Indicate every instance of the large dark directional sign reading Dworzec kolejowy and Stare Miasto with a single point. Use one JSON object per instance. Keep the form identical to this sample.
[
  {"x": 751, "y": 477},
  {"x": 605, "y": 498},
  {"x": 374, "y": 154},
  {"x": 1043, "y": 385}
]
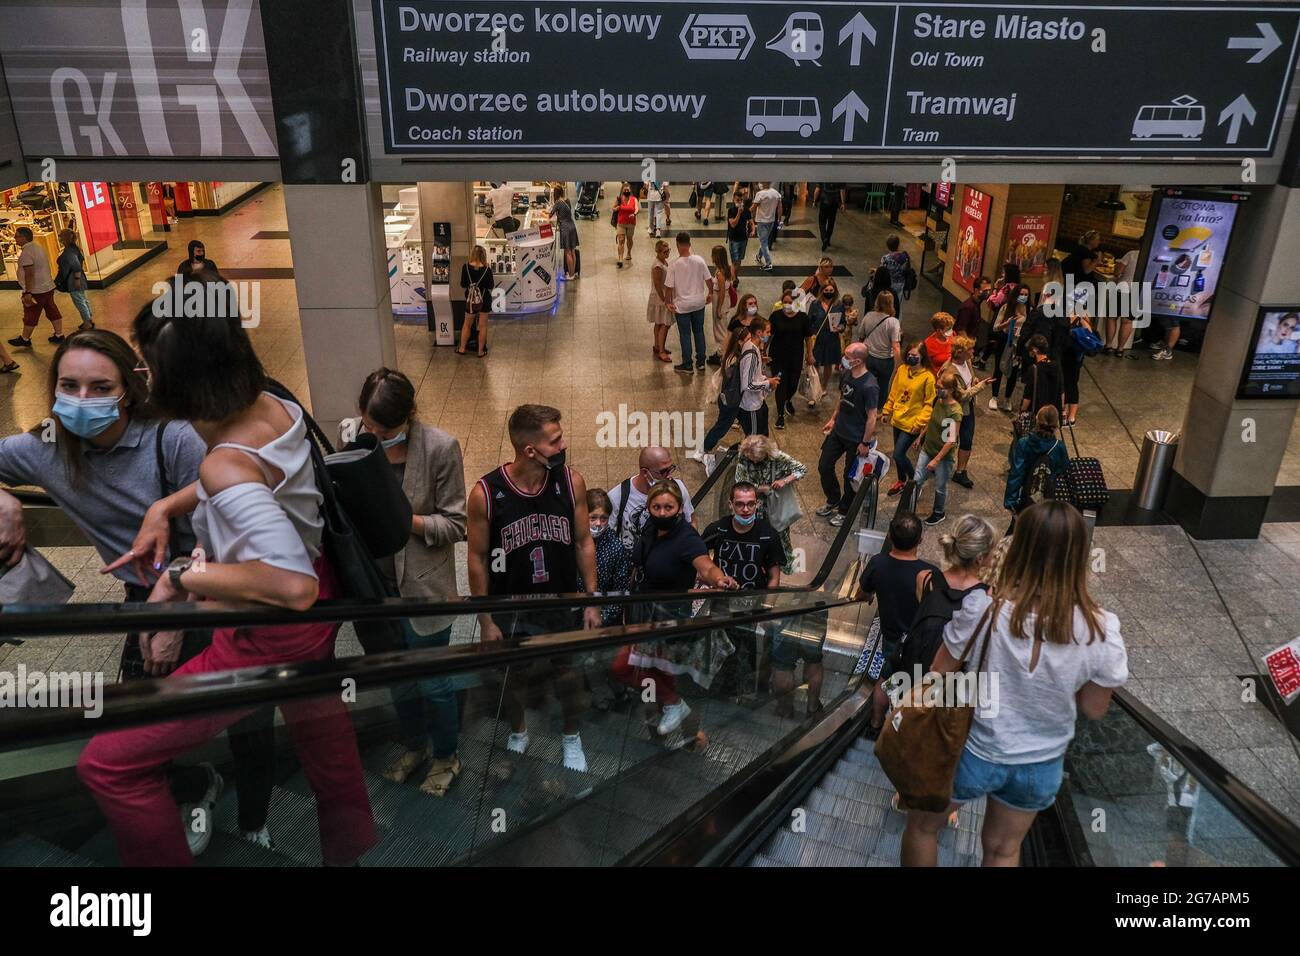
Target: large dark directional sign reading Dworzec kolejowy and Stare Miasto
[{"x": 564, "y": 77}]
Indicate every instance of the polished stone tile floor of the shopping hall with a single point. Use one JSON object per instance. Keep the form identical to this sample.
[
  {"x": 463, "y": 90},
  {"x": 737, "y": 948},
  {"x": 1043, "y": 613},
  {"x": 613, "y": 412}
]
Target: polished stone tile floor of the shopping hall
[{"x": 1197, "y": 616}]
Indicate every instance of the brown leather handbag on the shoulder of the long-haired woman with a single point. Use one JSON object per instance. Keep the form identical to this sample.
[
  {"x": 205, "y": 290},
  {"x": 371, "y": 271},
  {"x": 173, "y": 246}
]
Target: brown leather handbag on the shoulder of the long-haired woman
[{"x": 921, "y": 745}]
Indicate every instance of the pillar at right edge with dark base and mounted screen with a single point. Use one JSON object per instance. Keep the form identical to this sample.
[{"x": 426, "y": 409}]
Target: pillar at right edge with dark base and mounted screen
[{"x": 1232, "y": 449}]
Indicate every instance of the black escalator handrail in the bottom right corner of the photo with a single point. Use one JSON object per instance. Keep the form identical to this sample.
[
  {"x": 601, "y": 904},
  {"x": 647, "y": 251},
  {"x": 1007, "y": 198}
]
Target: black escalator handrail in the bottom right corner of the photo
[{"x": 1269, "y": 825}]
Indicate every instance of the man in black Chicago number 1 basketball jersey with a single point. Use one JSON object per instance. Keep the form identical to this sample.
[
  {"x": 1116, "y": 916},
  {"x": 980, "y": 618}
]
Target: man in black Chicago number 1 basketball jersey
[{"x": 530, "y": 535}]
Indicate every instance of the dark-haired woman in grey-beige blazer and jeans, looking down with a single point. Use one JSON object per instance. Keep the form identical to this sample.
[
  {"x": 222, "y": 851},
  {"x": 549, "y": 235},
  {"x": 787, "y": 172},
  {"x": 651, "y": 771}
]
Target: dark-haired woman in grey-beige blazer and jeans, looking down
[{"x": 430, "y": 468}]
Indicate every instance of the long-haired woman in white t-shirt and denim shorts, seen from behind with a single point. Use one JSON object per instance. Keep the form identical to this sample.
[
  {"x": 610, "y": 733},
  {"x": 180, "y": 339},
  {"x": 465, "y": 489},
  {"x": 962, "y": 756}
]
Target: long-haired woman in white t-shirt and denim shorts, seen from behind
[{"x": 1051, "y": 652}]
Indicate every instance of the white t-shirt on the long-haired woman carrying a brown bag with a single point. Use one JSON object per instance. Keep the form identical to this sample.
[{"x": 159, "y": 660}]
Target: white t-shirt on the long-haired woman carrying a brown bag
[{"x": 1029, "y": 716}]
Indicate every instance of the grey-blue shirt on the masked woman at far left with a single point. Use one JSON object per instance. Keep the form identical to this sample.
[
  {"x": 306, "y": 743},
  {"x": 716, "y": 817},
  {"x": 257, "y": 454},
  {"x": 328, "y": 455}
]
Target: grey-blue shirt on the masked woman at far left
[{"x": 119, "y": 485}]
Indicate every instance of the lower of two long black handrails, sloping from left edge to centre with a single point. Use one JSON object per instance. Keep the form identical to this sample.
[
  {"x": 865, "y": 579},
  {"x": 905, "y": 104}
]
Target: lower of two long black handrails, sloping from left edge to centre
[{"x": 146, "y": 702}]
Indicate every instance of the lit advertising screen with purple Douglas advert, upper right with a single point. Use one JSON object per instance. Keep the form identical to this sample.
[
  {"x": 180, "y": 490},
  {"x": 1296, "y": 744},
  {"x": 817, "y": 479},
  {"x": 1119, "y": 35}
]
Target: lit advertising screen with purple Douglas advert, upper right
[{"x": 1190, "y": 232}]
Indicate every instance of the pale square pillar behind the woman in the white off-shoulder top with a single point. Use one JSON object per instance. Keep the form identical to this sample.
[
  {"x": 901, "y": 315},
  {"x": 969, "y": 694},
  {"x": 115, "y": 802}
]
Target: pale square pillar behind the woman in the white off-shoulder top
[{"x": 340, "y": 270}]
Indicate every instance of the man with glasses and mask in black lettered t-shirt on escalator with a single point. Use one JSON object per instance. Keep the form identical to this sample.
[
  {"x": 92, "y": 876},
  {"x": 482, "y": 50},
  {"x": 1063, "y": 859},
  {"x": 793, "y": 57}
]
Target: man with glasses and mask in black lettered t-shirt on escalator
[{"x": 747, "y": 548}]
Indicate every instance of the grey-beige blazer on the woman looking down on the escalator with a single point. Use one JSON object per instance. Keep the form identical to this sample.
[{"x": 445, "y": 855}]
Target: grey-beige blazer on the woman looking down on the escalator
[{"x": 435, "y": 483}]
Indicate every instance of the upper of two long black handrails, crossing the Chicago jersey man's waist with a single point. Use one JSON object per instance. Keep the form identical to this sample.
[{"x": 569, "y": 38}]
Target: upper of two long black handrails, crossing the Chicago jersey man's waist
[{"x": 51, "y": 621}]
